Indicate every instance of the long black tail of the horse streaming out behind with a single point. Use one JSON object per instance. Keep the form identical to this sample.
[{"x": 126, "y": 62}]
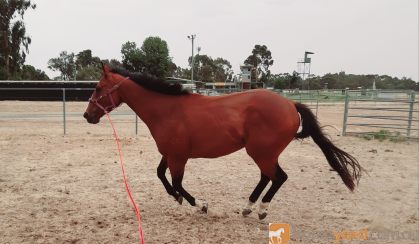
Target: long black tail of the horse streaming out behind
[{"x": 346, "y": 165}]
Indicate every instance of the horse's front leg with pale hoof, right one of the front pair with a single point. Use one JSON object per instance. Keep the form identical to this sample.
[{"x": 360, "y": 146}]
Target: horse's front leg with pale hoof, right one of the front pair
[{"x": 177, "y": 169}]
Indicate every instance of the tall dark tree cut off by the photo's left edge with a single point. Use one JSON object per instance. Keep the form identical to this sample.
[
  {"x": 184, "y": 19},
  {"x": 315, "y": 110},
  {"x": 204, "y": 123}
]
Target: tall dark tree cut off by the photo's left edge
[{"x": 14, "y": 43}]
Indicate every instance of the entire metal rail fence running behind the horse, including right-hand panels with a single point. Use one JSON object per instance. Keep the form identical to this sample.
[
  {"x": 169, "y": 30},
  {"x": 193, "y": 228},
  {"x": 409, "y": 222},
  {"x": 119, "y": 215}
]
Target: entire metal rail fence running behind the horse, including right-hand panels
[{"x": 365, "y": 111}]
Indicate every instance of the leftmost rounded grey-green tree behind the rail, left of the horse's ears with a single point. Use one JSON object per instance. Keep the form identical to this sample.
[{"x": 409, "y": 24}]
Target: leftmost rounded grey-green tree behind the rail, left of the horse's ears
[{"x": 65, "y": 64}]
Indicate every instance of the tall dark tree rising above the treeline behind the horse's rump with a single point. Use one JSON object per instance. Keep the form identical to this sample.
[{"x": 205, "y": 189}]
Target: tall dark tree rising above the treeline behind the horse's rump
[{"x": 261, "y": 59}]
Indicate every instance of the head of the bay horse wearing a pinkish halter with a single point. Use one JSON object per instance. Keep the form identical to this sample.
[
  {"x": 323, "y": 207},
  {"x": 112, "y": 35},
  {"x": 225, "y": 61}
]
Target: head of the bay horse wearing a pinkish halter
[{"x": 105, "y": 97}]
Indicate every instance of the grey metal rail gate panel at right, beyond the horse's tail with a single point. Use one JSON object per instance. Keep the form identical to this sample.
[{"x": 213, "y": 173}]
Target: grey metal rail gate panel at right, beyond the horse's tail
[{"x": 375, "y": 112}]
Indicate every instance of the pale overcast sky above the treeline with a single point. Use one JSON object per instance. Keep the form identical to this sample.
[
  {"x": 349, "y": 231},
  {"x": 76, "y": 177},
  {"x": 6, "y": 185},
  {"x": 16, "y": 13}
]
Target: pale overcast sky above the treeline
[{"x": 356, "y": 36}]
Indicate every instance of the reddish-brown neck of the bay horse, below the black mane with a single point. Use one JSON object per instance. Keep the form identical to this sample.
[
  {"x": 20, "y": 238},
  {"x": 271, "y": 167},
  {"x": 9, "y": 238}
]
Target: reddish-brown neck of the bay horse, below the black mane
[{"x": 148, "y": 105}]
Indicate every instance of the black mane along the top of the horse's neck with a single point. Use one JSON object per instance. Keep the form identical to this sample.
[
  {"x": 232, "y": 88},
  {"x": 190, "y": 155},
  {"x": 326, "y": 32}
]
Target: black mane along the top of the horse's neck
[{"x": 152, "y": 83}]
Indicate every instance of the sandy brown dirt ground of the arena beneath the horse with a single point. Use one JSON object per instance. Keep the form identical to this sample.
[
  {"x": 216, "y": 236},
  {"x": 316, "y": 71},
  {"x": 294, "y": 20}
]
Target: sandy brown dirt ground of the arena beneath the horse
[{"x": 68, "y": 189}]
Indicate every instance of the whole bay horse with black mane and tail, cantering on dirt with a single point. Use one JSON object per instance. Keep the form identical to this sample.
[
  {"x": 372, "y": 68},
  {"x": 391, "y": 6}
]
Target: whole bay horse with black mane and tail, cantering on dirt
[{"x": 186, "y": 125}]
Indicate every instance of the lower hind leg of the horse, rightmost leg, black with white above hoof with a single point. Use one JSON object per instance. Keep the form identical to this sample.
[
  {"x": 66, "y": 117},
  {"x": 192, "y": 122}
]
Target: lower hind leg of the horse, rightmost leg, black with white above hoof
[{"x": 277, "y": 181}]
